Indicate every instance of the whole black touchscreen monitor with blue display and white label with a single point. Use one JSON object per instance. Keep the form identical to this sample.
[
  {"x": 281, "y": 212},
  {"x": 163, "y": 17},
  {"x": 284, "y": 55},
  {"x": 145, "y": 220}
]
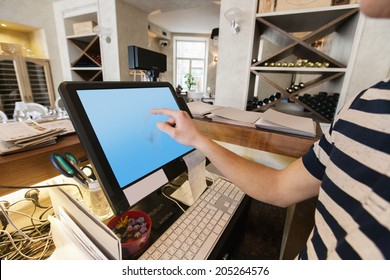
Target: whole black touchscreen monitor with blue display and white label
[{"x": 130, "y": 155}]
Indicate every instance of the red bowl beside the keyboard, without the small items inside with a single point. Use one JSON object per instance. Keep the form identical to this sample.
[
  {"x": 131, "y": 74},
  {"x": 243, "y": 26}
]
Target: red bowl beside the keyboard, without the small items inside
[{"x": 132, "y": 247}]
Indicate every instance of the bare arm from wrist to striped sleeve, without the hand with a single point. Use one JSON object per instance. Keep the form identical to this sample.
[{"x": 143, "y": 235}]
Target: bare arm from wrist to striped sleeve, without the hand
[{"x": 277, "y": 187}]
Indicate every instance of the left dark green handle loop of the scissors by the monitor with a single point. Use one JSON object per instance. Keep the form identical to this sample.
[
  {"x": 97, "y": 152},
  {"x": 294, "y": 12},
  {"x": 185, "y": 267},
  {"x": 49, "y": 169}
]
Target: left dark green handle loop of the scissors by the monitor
[{"x": 66, "y": 168}]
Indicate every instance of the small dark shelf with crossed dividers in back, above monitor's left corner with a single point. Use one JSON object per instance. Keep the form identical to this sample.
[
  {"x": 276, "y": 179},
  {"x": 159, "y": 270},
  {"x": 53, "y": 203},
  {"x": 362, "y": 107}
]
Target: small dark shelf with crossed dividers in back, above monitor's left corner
[{"x": 85, "y": 56}]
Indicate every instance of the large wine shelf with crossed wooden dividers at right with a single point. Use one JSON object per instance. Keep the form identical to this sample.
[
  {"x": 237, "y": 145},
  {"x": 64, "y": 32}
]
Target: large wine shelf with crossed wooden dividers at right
[{"x": 288, "y": 38}]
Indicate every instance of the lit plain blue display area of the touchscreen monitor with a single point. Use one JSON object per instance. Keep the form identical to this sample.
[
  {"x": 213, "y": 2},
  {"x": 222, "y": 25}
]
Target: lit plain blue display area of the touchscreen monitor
[{"x": 127, "y": 132}]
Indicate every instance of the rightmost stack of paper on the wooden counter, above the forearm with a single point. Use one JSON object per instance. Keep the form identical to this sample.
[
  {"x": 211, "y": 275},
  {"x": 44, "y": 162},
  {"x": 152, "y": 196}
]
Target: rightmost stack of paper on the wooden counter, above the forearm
[{"x": 278, "y": 121}]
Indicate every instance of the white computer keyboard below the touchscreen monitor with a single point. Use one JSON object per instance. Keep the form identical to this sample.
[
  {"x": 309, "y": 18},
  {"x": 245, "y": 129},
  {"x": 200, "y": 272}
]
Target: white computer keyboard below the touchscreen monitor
[{"x": 194, "y": 235}]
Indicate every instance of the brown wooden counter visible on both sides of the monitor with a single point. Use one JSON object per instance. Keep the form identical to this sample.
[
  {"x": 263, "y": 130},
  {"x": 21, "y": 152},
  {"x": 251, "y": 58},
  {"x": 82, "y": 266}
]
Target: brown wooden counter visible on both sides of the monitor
[{"x": 34, "y": 166}]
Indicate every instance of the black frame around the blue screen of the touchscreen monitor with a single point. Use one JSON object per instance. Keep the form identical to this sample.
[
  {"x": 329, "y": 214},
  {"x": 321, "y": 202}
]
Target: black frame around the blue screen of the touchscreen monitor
[{"x": 115, "y": 194}]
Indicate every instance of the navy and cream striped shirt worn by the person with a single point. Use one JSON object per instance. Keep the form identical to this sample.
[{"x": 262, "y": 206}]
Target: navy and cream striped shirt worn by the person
[{"x": 352, "y": 160}]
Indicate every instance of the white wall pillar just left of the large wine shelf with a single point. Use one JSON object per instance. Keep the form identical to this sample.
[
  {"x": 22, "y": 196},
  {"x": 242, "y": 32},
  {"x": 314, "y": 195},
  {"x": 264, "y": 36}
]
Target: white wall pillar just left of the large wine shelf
[{"x": 235, "y": 55}]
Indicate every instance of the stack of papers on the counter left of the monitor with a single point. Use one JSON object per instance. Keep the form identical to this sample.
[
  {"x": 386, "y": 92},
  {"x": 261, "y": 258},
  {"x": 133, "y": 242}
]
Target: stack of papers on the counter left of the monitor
[{"x": 22, "y": 136}]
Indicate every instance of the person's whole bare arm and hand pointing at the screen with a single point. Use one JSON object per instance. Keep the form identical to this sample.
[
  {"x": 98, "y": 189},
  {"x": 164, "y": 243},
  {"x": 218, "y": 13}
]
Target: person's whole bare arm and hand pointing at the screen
[{"x": 277, "y": 187}]
